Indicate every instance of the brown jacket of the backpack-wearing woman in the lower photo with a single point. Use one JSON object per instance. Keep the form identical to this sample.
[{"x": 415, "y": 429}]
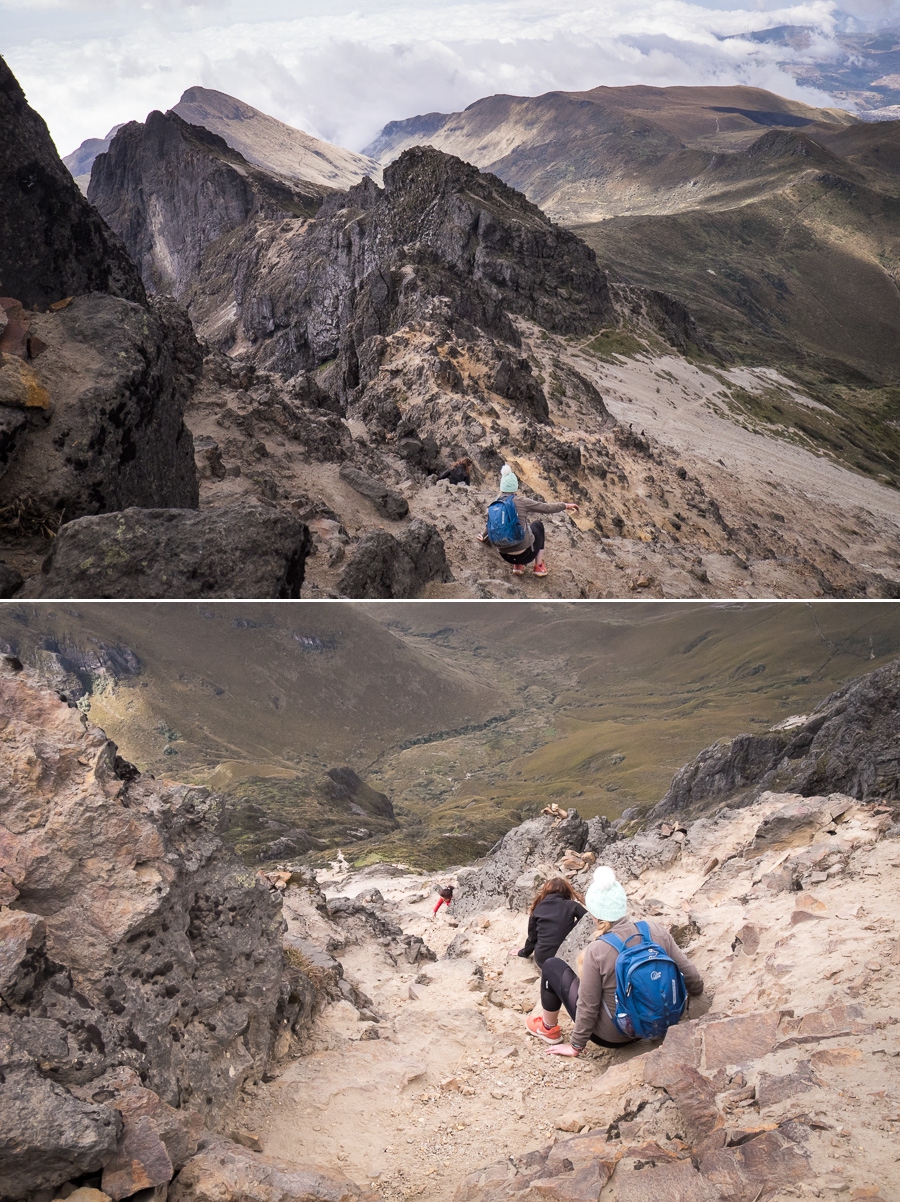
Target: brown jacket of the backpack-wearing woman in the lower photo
[{"x": 597, "y": 993}]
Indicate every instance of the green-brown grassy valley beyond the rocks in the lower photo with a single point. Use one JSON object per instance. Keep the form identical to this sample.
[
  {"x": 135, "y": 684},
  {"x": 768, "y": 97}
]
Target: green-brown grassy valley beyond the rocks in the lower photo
[{"x": 463, "y": 719}]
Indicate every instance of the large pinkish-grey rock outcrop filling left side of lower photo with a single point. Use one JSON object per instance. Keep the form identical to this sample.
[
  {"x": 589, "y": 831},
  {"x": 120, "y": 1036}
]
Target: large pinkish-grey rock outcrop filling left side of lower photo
[{"x": 142, "y": 972}]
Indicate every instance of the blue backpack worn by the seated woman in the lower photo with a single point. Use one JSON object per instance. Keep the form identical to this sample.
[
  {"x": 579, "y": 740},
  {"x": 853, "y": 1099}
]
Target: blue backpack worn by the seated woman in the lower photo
[{"x": 651, "y": 993}]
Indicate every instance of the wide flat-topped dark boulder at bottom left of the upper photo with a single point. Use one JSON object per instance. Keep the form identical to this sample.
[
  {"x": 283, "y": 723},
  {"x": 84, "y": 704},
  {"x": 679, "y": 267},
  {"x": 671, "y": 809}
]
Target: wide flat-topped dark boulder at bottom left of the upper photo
[{"x": 233, "y": 552}]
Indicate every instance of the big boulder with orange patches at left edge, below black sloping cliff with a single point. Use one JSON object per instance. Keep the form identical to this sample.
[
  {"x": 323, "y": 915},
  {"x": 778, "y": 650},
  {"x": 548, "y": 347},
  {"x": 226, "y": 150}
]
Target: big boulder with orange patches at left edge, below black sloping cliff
[{"x": 104, "y": 414}]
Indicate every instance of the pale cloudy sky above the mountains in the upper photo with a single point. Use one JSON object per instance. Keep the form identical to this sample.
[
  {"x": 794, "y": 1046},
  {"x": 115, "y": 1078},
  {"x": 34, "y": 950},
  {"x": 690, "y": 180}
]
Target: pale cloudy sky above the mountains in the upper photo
[{"x": 341, "y": 70}]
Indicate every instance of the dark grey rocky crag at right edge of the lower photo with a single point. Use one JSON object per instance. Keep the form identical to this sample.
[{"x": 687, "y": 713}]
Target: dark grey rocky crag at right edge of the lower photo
[{"x": 845, "y": 746}]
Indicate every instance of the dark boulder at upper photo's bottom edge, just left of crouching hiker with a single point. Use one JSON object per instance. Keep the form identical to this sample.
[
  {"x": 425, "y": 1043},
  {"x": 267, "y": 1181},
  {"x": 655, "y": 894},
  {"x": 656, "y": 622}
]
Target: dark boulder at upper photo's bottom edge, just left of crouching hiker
[{"x": 384, "y": 567}]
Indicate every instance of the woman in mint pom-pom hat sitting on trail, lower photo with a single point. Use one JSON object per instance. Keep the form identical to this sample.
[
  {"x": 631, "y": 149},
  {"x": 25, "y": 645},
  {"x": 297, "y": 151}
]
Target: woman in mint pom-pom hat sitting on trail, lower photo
[{"x": 635, "y": 979}]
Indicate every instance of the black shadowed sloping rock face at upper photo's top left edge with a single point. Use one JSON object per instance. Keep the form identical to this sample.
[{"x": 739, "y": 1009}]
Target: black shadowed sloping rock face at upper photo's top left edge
[{"x": 53, "y": 245}]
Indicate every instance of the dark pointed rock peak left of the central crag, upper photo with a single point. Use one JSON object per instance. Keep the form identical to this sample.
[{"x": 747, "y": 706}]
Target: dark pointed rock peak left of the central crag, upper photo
[{"x": 171, "y": 189}]
